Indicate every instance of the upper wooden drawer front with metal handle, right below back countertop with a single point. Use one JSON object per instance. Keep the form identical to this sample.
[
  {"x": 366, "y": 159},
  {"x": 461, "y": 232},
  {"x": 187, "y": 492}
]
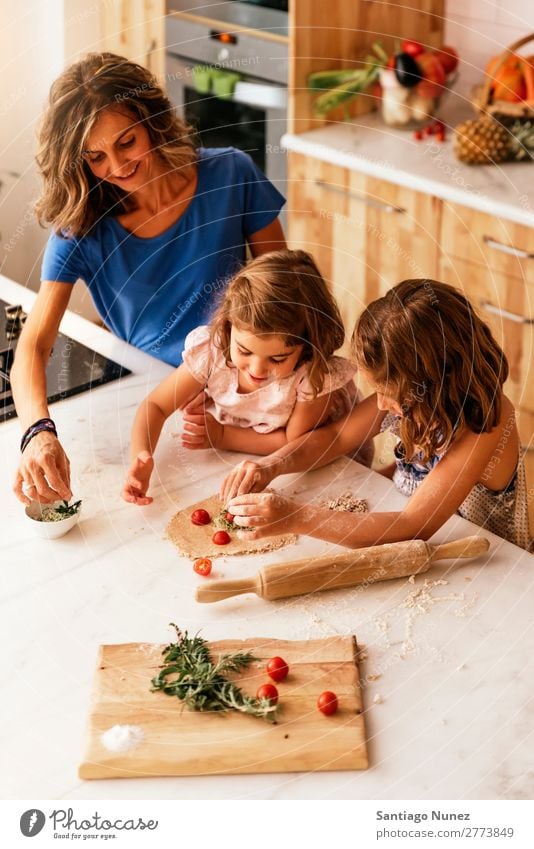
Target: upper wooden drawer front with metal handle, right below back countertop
[{"x": 486, "y": 240}]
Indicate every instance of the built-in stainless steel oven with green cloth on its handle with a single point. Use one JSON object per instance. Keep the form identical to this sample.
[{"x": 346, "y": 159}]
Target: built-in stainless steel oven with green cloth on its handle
[{"x": 252, "y": 113}]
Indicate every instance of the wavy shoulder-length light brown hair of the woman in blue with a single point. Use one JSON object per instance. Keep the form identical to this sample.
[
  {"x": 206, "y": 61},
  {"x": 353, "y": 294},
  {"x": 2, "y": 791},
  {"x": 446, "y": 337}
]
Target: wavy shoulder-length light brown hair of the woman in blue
[{"x": 73, "y": 200}]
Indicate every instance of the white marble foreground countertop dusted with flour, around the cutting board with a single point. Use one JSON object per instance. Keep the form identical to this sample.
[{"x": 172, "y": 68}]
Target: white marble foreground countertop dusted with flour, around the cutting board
[{"x": 453, "y": 665}]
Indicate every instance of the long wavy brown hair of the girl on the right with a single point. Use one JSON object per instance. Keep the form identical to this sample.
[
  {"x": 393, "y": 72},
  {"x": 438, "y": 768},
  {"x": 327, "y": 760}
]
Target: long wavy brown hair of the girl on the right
[{"x": 443, "y": 365}]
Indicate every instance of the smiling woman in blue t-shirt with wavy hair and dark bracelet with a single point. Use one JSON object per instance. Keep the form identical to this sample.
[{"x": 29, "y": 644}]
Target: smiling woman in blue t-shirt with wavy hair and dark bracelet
[{"x": 152, "y": 224}]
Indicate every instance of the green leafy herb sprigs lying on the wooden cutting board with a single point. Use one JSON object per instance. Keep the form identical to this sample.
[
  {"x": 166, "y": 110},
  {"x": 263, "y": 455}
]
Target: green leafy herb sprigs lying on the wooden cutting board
[{"x": 201, "y": 684}]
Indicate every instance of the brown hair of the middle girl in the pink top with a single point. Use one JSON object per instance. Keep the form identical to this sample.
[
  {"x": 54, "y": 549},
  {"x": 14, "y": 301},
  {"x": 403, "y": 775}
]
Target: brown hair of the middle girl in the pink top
[{"x": 282, "y": 293}]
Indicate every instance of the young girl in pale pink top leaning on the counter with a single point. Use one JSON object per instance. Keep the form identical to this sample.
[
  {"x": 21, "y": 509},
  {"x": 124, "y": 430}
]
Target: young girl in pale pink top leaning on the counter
[{"x": 265, "y": 365}]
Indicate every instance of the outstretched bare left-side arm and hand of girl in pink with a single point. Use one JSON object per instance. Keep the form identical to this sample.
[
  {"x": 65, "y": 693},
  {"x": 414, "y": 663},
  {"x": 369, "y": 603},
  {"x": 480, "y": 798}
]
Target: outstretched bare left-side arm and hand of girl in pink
[{"x": 171, "y": 394}]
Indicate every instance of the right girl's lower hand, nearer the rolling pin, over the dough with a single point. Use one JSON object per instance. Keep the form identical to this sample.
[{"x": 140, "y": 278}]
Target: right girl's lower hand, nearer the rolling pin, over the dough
[{"x": 266, "y": 513}]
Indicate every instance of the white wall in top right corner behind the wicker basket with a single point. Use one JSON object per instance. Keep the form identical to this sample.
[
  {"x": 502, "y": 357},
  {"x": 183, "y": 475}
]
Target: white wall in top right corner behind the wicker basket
[{"x": 479, "y": 29}]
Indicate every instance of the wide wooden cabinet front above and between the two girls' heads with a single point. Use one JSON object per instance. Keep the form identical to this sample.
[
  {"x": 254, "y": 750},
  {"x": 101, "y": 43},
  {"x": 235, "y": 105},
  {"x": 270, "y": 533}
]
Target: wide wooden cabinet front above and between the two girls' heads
[{"x": 366, "y": 234}]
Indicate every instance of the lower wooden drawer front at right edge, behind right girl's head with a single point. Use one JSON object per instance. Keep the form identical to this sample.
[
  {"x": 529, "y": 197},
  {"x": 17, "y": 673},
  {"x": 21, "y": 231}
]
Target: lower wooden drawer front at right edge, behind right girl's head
[{"x": 507, "y": 305}]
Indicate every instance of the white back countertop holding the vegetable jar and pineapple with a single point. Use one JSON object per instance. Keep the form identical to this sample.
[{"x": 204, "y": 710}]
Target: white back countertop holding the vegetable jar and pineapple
[{"x": 368, "y": 145}]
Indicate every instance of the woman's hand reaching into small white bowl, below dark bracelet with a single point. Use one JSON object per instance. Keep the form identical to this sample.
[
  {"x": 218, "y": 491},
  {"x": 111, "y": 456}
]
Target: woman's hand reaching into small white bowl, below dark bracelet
[{"x": 44, "y": 471}]
